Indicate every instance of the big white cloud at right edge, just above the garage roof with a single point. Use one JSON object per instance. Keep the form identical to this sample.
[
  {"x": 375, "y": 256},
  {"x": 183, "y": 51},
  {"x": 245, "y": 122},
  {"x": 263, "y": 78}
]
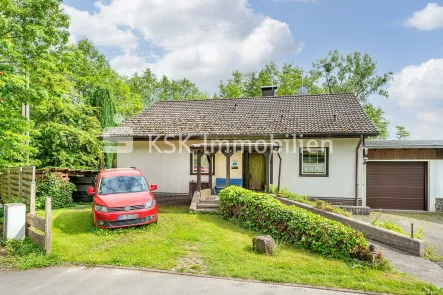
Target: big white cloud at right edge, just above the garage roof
[{"x": 417, "y": 91}]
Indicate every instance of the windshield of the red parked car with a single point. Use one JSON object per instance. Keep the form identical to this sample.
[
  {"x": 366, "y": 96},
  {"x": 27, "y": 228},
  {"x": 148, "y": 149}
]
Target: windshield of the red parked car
[{"x": 122, "y": 184}]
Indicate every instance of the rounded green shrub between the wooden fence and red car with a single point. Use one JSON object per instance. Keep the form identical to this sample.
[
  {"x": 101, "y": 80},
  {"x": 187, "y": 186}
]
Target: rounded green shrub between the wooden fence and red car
[{"x": 57, "y": 187}]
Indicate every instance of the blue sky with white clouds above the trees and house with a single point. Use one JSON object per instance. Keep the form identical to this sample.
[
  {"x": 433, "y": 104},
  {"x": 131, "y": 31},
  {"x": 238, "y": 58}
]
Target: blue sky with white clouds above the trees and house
[{"x": 205, "y": 40}]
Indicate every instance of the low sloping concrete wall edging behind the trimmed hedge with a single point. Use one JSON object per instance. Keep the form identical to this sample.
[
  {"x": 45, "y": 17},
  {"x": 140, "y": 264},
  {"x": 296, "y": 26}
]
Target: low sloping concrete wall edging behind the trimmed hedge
[{"x": 406, "y": 244}]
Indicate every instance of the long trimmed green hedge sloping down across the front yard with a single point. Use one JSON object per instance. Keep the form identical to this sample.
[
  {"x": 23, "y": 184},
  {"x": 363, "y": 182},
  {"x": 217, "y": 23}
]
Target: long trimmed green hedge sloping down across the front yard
[{"x": 259, "y": 211}]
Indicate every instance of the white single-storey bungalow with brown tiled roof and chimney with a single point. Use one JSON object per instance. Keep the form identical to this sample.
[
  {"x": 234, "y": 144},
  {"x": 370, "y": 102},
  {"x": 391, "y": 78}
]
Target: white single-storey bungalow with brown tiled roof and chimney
[{"x": 317, "y": 145}]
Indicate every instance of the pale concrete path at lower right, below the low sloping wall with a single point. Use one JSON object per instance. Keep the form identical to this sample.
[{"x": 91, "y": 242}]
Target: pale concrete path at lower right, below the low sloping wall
[{"x": 422, "y": 269}]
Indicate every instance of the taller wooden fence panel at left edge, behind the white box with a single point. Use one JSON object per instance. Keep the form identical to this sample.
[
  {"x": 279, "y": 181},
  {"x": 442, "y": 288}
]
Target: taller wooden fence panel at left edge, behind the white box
[{"x": 18, "y": 184}]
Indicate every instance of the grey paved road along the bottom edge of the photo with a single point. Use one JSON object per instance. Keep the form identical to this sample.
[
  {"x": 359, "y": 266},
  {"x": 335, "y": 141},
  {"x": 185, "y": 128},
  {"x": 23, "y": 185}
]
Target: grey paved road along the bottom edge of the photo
[{"x": 108, "y": 281}]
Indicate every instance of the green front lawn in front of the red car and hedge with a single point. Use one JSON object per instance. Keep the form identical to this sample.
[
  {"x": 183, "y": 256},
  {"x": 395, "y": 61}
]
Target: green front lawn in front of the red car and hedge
[{"x": 208, "y": 244}]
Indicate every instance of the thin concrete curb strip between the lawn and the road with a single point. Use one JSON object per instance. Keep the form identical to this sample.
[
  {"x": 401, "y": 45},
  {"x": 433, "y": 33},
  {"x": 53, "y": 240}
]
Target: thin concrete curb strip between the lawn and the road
[{"x": 234, "y": 279}]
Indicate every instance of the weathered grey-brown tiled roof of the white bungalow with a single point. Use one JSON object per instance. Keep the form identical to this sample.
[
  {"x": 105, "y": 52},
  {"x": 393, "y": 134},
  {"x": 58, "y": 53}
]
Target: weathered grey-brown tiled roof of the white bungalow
[{"x": 324, "y": 114}]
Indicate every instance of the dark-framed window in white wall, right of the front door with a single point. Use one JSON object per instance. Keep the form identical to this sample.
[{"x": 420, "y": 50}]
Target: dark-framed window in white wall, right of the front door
[{"x": 314, "y": 162}]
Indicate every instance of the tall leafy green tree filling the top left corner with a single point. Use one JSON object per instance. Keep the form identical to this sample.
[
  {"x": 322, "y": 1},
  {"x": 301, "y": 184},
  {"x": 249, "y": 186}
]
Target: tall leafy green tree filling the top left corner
[{"x": 32, "y": 33}]
